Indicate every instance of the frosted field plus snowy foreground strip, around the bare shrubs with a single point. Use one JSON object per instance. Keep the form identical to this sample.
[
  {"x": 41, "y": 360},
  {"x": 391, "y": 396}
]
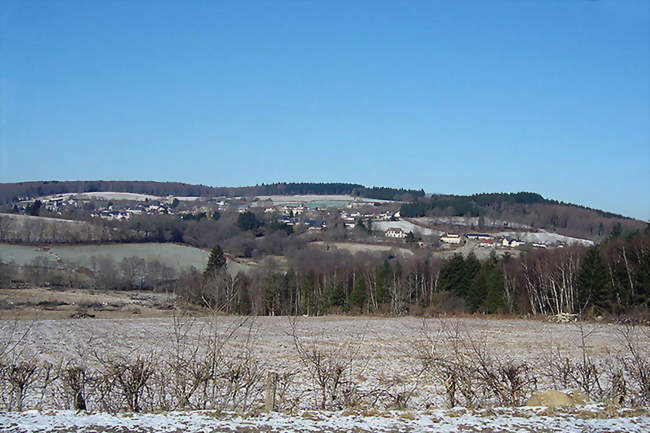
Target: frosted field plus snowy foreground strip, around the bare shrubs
[{"x": 380, "y": 358}]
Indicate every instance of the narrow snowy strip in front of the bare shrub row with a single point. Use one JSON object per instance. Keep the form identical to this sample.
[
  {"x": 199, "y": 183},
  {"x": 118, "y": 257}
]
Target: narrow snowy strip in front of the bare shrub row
[{"x": 588, "y": 419}]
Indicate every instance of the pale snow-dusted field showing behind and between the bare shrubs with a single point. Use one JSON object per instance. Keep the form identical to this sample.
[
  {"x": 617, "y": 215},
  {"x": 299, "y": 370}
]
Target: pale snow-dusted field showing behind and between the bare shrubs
[{"x": 382, "y": 349}]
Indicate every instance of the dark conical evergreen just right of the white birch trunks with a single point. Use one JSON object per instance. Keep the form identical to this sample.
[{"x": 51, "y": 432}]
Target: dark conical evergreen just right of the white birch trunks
[{"x": 592, "y": 282}]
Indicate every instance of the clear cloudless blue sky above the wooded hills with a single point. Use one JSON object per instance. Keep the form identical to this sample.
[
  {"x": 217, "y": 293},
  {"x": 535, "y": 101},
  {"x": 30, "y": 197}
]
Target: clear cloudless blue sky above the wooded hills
[{"x": 453, "y": 97}]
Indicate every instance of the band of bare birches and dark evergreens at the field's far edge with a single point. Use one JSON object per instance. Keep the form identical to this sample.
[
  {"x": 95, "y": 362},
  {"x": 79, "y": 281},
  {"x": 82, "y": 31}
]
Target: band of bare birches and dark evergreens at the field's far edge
[{"x": 612, "y": 278}]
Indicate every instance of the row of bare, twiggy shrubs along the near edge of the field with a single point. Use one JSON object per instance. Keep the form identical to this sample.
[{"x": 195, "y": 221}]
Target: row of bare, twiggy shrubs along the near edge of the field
[{"x": 217, "y": 368}]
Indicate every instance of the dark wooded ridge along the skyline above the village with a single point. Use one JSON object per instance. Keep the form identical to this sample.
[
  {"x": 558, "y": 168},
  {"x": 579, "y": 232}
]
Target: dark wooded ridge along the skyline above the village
[{"x": 485, "y": 211}]
